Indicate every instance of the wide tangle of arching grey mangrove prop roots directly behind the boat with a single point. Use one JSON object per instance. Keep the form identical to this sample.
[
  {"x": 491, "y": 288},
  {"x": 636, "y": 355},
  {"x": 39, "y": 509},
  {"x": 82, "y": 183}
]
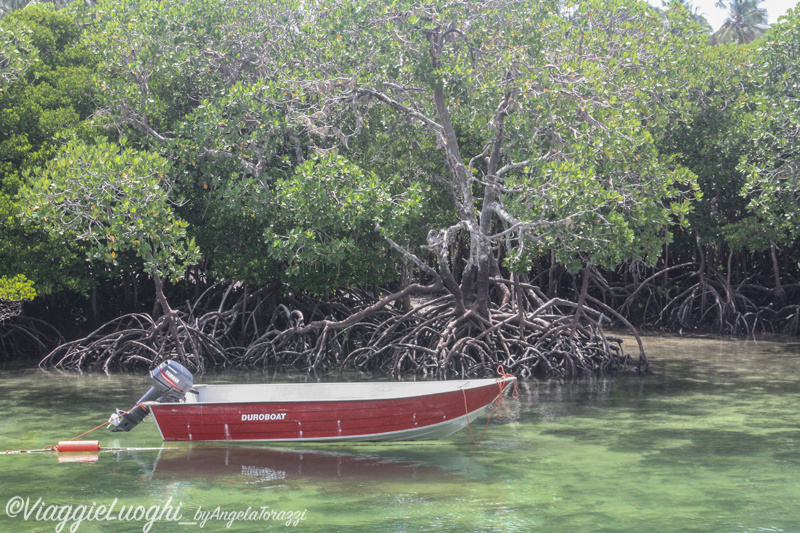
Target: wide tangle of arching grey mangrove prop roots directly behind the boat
[{"x": 545, "y": 338}]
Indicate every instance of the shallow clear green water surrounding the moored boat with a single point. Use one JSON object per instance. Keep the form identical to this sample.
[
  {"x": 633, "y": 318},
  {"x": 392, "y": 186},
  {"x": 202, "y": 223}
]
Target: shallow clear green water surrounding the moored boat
[{"x": 709, "y": 440}]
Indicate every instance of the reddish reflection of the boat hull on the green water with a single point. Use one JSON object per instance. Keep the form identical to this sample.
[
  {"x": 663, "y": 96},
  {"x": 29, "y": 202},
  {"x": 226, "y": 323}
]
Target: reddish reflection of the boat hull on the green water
[{"x": 277, "y": 464}]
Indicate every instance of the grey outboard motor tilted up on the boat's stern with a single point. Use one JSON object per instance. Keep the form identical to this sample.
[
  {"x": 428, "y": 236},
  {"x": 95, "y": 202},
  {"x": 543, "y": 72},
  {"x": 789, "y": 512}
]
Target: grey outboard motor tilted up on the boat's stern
[{"x": 171, "y": 382}]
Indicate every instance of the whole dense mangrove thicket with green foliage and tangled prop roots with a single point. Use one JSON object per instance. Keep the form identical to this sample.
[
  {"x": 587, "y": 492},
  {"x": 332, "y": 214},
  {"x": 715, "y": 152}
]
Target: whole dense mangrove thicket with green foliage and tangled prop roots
[{"x": 276, "y": 181}]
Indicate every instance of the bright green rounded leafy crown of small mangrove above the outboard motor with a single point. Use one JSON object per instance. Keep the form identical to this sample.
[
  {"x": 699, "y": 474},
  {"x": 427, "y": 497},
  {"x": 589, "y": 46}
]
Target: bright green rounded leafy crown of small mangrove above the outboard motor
[{"x": 111, "y": 199}]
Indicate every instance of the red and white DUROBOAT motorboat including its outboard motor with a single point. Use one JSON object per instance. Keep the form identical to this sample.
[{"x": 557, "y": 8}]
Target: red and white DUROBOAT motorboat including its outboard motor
[{"x": 373, "y": 411}]
